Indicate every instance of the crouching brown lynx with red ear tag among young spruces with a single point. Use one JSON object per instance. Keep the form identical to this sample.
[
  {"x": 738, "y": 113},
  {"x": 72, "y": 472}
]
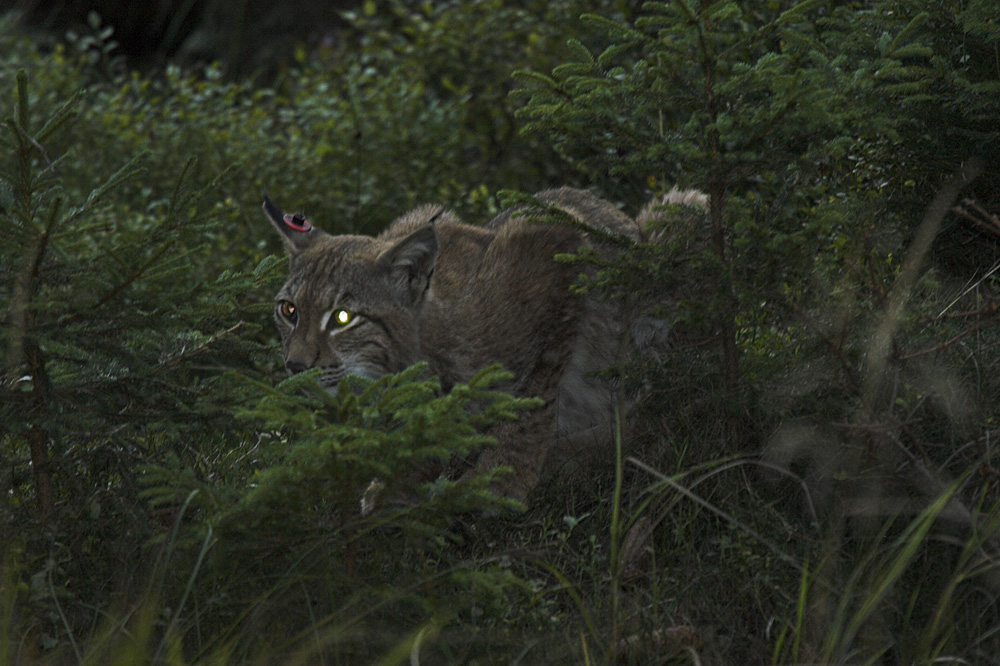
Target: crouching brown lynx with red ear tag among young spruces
[{"x": 431, "y": 288}]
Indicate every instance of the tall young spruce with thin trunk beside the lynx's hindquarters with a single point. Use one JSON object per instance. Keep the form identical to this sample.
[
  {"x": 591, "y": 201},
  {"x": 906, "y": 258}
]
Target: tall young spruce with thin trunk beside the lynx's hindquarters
[{"x": 719, "y": 96}]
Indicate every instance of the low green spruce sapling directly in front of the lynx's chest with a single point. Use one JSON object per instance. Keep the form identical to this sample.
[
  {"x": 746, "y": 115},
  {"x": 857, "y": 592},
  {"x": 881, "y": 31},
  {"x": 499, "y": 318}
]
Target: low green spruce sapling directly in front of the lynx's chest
[{"x": 281, "y": 527}]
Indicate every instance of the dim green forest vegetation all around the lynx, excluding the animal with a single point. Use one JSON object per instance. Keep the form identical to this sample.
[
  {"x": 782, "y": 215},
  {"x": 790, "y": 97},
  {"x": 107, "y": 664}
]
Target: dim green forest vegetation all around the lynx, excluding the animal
[{"x": 809, "y": 474}]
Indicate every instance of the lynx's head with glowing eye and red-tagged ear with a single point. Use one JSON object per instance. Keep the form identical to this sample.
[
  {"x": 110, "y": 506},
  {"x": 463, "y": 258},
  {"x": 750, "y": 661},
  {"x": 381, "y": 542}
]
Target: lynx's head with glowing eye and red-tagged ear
[{"x": 351, "y": 304}]
